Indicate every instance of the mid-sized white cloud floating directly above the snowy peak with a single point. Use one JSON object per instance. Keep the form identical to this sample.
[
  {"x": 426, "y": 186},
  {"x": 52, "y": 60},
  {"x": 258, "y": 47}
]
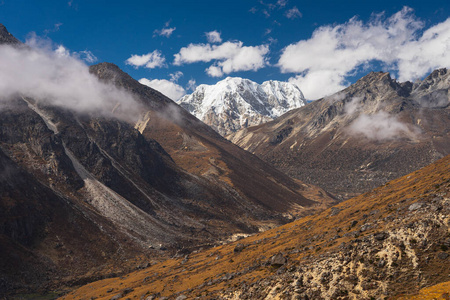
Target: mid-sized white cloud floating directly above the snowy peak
[{"x": 227, "y": 57}]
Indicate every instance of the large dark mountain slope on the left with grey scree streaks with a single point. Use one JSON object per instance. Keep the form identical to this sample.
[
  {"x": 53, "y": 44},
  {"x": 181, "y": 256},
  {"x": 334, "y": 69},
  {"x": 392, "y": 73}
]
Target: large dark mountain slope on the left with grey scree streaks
[{"x": 89, "y": 193}]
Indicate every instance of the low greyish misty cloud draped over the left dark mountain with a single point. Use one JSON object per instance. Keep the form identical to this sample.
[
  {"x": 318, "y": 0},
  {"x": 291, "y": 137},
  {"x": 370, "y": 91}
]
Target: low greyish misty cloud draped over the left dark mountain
[{"x": 60, "y": 79}]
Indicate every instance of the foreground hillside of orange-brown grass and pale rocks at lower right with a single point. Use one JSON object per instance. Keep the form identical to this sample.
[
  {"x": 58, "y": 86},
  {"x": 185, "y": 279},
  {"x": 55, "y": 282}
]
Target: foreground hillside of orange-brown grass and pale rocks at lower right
[{"x": 390, "y": 241}]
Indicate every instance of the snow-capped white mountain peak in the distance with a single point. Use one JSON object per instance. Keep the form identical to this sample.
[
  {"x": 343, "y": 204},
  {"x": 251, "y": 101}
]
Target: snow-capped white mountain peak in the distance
[{"x": 235, "y": 103}]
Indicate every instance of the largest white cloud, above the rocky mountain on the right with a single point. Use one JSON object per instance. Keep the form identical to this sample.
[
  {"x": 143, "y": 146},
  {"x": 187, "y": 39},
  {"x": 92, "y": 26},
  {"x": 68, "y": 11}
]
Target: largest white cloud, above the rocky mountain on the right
[{"x": 333, "y": 53}]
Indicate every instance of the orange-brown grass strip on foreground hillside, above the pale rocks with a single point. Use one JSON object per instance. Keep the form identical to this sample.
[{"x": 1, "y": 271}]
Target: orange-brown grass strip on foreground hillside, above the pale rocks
[{"x": 172, "y": 276}]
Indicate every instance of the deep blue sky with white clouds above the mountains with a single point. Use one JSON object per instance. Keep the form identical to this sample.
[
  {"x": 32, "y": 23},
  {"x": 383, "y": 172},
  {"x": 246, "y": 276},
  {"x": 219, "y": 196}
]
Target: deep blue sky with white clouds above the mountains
[{"x": 321, "y": 45}]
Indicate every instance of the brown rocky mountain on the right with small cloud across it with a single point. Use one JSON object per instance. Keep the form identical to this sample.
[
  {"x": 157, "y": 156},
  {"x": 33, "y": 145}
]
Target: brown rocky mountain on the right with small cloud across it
[{"x": 375, "y": 130}]
